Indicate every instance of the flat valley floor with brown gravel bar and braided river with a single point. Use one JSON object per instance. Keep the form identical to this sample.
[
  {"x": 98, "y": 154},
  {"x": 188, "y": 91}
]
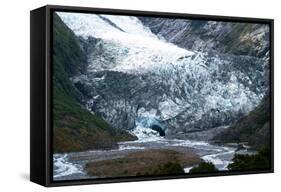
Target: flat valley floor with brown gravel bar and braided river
[{"x": 134, "y": 157}]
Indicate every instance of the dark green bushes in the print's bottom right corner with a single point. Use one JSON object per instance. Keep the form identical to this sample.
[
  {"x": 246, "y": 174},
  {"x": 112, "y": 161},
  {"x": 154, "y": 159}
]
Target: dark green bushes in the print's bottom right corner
[{"x": 259, "y": 161}]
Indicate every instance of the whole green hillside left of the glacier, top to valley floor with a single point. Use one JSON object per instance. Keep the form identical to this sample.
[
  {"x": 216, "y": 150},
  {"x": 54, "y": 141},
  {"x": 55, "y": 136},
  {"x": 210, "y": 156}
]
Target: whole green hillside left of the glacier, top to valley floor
[{"x": 74, "y": 127}]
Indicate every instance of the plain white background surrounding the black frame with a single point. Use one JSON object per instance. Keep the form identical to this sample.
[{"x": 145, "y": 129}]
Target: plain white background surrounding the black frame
[{"x": 14, "y": 97}]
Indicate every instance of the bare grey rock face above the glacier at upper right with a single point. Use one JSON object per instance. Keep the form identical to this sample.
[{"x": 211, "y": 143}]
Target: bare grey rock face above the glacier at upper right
[{"x": 205, "y": 36}]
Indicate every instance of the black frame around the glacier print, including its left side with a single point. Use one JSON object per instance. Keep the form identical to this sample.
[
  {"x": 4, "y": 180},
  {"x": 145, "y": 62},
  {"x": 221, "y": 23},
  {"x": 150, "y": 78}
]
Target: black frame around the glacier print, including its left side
[{"x": 41, "y": 154}]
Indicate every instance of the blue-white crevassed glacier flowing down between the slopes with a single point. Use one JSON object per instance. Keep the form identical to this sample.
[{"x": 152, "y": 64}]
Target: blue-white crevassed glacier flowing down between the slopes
[{"x": 187, "y": 87}]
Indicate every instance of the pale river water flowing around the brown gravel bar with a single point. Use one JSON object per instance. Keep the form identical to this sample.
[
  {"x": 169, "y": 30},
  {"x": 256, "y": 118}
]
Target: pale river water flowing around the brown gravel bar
[{"x": 71, "y": 165}]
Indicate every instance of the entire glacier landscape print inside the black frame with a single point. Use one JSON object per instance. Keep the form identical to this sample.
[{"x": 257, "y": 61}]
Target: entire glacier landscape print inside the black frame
[{"x": 149, "y": 96}]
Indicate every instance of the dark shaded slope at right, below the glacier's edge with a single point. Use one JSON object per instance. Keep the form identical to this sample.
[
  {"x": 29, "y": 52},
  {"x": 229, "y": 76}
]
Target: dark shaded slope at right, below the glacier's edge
[{"x": 252, "y": 128}]
